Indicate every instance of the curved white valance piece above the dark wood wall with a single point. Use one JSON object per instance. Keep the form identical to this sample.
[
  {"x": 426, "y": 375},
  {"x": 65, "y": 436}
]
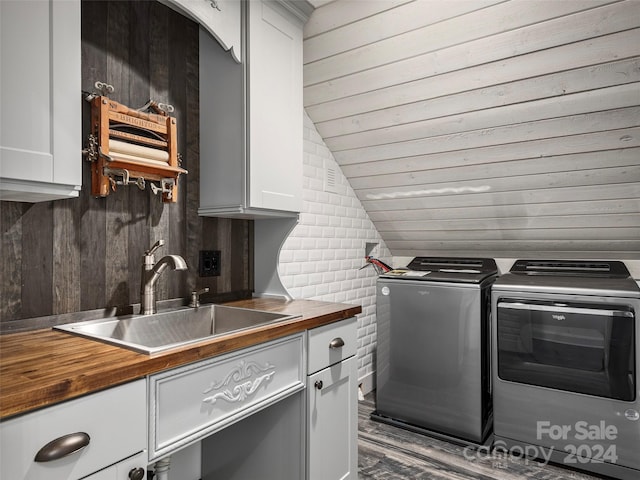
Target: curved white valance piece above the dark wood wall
[{"x": 221, "y": 18}]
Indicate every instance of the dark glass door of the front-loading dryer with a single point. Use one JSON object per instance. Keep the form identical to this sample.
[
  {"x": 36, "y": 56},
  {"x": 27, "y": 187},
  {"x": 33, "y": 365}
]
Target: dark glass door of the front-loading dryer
[{"x": 576, "y": 347}]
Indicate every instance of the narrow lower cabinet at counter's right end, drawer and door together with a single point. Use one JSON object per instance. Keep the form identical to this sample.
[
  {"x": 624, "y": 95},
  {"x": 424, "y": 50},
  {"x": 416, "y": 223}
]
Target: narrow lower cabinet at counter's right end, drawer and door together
[{"x": 332, "y": 402}]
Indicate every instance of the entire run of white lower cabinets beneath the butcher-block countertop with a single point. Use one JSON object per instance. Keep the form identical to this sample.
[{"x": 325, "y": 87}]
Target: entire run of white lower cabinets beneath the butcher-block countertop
[{"x": 239, "y": 416}]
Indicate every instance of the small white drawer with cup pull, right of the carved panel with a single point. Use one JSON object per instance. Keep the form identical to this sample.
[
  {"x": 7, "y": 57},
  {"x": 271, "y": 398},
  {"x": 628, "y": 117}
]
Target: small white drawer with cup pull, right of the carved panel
[{"x": 332, "y": 343}]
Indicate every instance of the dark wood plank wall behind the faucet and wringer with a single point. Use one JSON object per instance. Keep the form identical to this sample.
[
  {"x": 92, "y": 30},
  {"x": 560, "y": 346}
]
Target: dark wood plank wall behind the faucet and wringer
[{"x": 85, "y": 253}]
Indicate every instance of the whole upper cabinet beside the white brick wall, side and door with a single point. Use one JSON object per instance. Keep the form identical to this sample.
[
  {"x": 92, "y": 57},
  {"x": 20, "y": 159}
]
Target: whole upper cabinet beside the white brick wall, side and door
[{"x": 251, "y": 116}]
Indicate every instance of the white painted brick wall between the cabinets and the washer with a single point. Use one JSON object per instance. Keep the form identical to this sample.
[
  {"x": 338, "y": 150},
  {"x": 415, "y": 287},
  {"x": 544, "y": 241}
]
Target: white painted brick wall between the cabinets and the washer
[{"x": 322, "y": 257}]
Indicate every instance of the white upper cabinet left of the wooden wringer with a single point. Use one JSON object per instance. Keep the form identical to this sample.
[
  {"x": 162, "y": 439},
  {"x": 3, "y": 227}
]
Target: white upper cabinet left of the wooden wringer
[{"x": 40, "y": 100}]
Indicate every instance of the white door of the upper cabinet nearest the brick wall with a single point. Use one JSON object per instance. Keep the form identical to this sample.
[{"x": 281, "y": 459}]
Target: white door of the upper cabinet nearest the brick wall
[{"x": 275, "y": 107}]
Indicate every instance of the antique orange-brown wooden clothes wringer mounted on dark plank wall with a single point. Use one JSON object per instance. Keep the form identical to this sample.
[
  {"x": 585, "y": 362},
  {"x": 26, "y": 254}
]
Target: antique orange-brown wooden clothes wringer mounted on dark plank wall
[{"x": 128, "y": 146}]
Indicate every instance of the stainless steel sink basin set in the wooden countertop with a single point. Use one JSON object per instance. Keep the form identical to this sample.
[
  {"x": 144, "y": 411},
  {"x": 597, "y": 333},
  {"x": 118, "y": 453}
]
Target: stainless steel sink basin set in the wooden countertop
[{"x": 174, "y": 328}]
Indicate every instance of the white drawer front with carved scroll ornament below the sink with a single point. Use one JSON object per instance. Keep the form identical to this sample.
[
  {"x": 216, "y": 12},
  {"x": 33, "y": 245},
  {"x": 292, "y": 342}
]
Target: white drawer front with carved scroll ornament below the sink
[{"x": 192, "y": 402}]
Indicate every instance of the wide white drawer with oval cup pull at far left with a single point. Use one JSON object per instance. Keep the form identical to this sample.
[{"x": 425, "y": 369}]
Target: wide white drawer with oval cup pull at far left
[{"x": 114, "y": 419}]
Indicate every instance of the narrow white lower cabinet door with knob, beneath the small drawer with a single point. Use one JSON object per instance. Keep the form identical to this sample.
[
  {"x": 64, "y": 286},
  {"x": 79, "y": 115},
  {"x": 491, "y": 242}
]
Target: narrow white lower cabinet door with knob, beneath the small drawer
[{"x": 332, "y": 446}]
